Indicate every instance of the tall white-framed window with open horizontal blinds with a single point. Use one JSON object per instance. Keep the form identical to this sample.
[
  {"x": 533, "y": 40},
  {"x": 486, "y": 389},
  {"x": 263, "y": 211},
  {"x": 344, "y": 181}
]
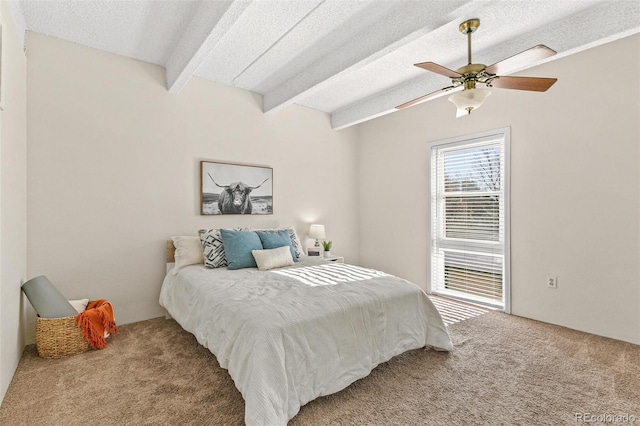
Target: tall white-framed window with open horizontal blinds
[{"x": 469, "y": 252}]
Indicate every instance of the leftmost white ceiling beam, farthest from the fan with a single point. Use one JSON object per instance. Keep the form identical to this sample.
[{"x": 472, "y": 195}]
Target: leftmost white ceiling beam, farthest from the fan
[{"x": 208, "y": 25}]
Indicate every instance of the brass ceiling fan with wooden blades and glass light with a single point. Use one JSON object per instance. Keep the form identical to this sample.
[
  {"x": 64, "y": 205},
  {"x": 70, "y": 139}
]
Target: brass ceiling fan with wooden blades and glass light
[{"x": 465, "y": 79}]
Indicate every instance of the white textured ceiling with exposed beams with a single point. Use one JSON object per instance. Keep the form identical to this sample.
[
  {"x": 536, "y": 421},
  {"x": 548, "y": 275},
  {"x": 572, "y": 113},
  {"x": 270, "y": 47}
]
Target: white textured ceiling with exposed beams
[{"x": 350, "y": 58}]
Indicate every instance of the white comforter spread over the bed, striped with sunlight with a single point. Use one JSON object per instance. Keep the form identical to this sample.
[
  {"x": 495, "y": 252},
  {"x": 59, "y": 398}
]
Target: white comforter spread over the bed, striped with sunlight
[{"x": 288, "y": 338}]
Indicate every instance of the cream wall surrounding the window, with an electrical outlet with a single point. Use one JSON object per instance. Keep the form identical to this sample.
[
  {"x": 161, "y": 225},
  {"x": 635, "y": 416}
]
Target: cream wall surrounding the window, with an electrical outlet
[{"x": 575, "y": 189}]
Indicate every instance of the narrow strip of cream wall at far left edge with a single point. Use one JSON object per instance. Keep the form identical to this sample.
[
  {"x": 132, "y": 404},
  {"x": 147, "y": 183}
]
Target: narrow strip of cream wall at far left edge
[{"x": 13, "y": 198}]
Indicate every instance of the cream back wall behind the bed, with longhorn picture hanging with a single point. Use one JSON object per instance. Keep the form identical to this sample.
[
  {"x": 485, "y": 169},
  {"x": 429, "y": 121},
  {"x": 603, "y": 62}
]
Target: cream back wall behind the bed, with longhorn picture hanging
[{"x": 114, "y": 170}]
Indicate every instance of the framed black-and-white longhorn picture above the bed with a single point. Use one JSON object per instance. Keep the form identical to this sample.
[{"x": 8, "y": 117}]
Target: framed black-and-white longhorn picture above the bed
[{"x": 235, "y": 189}]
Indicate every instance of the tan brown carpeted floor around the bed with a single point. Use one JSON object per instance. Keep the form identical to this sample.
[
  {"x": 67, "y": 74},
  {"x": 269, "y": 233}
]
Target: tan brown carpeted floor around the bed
[{"x": 504, "y": 370}]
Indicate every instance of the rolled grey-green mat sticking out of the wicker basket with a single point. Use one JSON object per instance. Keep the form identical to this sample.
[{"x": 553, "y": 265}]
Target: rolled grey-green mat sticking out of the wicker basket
[{"x": 47, "y": 301}]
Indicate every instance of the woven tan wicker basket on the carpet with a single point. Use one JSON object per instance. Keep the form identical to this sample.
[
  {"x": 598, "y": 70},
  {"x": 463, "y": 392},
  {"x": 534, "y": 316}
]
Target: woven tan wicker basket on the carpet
[{"x": 59, "y": 337}]
